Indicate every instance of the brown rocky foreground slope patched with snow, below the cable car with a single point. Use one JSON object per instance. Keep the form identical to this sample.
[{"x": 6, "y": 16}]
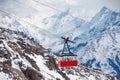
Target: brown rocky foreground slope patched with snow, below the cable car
[{"x": 21, "y": 58}]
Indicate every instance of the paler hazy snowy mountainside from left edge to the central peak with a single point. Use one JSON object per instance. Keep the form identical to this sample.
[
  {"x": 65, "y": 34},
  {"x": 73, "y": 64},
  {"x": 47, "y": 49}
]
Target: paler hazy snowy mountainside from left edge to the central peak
[{"x": 51, "y": 28}]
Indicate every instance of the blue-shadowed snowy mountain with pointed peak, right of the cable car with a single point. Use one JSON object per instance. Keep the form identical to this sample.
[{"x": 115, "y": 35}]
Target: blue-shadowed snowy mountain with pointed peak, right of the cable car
[{"x": 100, "y": 47}]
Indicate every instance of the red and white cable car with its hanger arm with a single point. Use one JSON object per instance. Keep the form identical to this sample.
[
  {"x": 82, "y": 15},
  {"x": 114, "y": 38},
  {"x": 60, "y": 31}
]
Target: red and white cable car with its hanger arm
[{"x": 67, "y": 58}]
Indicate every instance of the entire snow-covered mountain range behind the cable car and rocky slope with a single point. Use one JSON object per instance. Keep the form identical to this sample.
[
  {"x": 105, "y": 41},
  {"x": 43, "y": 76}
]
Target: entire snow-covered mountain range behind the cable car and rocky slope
[{"x": 97, "y": 43}]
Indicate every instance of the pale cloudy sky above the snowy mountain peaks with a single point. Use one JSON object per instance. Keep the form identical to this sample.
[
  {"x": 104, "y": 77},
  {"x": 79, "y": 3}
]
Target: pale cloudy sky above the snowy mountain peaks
[{"x": 84, "y": 9}]
